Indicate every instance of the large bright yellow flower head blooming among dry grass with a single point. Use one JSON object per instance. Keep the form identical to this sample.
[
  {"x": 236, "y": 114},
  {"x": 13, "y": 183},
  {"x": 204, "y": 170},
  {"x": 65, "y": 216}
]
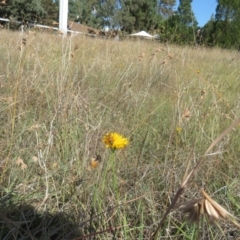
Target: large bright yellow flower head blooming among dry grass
[{"x": 114, "y": 140}]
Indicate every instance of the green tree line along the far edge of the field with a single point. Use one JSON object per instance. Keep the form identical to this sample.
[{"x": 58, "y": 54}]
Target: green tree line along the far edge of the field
[{"x": 174, "y": 25}]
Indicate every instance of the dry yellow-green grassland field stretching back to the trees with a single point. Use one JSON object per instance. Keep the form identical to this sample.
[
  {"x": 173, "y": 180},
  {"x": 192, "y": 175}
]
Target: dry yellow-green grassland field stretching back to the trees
[{"x": 60, "y": 96}]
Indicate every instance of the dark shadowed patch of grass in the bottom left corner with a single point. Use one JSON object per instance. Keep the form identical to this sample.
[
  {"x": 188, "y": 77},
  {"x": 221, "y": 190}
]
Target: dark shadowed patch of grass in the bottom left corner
[{"x": 24, "y": 222}]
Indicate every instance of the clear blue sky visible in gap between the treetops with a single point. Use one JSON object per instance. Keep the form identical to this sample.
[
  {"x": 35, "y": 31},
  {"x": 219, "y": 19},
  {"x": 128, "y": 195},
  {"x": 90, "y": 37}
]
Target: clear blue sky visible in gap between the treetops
[{"x": 203, "y": 10}]
